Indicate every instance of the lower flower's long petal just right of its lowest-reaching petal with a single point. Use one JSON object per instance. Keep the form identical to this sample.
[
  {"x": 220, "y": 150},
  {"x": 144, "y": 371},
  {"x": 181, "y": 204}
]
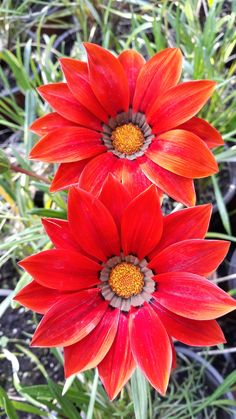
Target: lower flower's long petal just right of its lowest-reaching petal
[{"x": 151, "y": 347}]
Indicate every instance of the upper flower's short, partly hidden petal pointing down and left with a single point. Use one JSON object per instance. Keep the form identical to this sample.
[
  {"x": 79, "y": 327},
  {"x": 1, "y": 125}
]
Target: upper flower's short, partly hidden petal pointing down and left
[{"x": 67, "y": 175}]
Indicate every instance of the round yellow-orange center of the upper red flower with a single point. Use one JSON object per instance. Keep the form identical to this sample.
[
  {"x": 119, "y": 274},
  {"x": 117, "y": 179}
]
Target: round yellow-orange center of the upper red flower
[{"x": 127, "y": 138}]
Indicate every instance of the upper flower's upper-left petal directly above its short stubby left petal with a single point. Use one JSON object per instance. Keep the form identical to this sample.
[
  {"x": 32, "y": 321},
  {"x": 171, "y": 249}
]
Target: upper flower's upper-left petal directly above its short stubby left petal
[{"x": 63, "y": 102}]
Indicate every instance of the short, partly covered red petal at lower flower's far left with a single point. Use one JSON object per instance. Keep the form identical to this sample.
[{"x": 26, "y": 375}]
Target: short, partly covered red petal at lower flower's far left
[{"x": 38, "y": 298}]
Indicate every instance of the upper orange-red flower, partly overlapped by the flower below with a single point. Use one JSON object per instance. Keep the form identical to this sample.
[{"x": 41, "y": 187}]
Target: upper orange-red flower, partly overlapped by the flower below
[{"x": 129, "y": 118}]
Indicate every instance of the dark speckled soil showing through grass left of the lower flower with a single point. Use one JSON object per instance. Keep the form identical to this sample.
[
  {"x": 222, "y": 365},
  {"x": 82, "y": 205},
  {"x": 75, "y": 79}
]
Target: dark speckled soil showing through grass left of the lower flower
[{"x": 16, "y": 327}]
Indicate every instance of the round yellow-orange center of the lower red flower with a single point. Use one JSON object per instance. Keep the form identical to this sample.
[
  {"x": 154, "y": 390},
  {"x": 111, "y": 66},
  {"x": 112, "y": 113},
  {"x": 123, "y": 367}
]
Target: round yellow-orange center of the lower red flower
[{"x": 126, "y": 280}]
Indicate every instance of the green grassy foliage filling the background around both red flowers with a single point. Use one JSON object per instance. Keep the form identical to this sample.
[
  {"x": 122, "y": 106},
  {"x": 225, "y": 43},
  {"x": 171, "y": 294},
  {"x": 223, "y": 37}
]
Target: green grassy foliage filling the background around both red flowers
[{"x": 31, "y": 41}]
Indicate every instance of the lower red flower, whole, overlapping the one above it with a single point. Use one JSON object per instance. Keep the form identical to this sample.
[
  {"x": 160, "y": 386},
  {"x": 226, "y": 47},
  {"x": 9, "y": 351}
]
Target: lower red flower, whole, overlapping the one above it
[{"x": 123, "y": 281}]
